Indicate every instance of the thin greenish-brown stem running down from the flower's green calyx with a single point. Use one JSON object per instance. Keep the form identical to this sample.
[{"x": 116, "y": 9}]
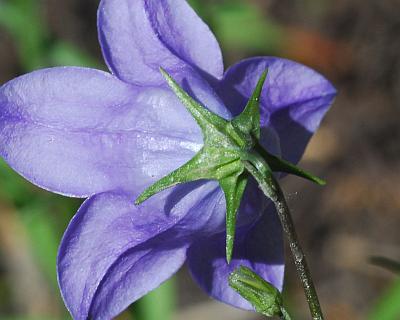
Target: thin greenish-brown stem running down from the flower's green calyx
[{"x": 273, "y": 191}]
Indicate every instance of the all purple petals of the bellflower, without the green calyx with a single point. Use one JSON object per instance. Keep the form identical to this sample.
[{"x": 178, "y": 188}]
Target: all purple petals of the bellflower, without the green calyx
[{"x": 86, "y": 133}]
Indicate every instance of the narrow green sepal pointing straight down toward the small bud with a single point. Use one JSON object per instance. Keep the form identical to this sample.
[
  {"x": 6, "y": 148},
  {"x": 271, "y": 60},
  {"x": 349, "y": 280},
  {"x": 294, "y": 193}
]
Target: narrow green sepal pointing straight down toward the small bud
[{"x": 233, "y": 187}]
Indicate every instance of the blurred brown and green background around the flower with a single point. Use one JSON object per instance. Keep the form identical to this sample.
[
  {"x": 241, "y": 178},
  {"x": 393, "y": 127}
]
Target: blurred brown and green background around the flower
[{"x": 349, "y": 229}]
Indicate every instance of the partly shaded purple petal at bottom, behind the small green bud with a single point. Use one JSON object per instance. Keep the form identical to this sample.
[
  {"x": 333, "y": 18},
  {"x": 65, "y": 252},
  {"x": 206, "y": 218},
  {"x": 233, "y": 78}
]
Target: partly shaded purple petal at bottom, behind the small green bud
[{"x": 259, "y": 248}]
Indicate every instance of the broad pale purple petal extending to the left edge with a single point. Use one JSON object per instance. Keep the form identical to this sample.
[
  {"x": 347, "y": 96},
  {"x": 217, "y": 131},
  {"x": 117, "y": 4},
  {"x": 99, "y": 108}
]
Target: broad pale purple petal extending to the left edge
[{"x": 80, "y": 131}]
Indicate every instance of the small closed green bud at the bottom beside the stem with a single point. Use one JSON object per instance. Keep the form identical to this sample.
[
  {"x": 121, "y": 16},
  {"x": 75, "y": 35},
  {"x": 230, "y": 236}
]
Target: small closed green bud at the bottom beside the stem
[{"x": 263, "y": 296}]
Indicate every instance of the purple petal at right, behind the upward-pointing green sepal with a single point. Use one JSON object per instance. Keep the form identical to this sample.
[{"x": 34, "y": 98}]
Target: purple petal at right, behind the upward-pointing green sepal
[{"x": 294, "y": 100}]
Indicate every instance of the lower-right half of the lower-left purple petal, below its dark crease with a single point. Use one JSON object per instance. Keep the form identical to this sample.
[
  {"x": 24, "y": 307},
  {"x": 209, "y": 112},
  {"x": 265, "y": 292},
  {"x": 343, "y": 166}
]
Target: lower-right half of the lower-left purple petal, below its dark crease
[{"x": 135, "y": 274}]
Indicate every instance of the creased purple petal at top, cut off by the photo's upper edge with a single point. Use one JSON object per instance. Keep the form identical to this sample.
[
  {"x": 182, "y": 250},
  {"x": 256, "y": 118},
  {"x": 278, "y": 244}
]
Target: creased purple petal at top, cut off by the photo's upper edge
[{"x": 137, "y": 37}]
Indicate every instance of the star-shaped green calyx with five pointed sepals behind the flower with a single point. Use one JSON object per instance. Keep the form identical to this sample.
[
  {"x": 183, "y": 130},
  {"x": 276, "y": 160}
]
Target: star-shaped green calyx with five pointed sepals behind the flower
[{"x": 231, "y": 152}]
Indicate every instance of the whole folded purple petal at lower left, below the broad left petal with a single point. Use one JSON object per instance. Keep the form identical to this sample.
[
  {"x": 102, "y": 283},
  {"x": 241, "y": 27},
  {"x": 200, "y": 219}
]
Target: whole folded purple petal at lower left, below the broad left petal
[{"x": 114, "y": 252}]
